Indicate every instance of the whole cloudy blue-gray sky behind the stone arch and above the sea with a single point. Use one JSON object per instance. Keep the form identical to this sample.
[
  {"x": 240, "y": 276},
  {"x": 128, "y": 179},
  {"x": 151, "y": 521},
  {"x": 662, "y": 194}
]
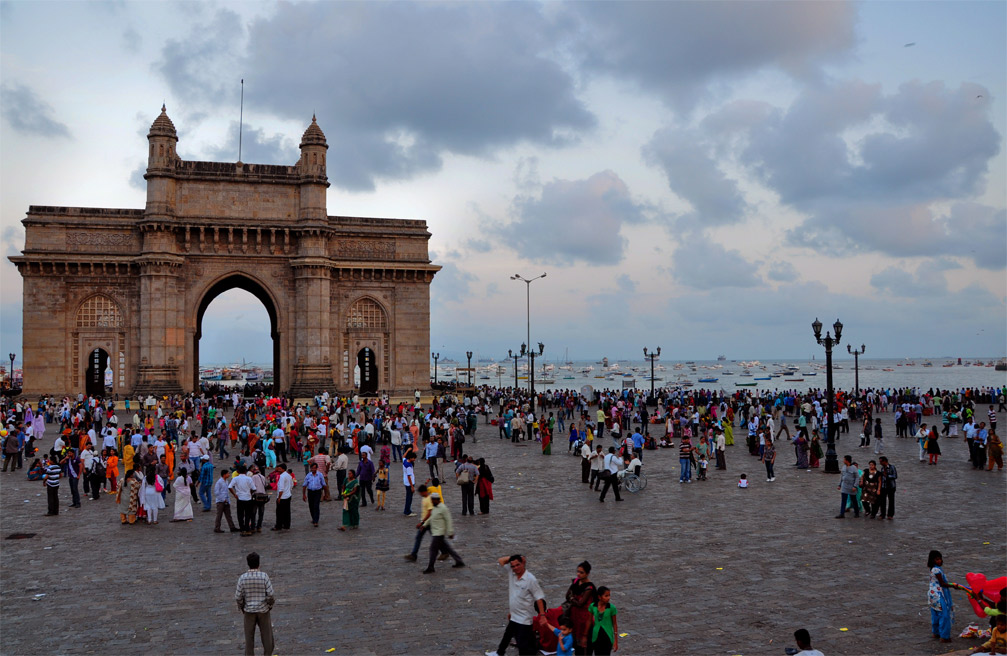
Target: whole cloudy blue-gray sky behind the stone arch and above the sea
[{"x": 708, "y": 178}]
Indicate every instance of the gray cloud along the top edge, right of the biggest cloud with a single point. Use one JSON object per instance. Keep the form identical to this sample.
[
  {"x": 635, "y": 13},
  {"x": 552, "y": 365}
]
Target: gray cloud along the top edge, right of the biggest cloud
[{"x": 678, "y": 49}]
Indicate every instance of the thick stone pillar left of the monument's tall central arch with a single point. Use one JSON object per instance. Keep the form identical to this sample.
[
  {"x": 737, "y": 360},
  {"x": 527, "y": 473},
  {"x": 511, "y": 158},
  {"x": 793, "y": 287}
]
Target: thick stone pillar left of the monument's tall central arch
[{"x": 162, "y": 326}]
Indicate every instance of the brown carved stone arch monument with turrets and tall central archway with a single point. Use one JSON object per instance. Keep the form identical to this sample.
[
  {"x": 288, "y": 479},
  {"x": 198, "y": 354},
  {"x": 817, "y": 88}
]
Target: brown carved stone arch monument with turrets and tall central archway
[{"x": 132, "y": 286}]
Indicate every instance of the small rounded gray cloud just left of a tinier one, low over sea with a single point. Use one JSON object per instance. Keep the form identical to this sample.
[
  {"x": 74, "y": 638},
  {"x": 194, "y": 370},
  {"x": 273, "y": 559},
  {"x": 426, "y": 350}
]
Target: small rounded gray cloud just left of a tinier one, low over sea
[{"x": 702, "y": 265}]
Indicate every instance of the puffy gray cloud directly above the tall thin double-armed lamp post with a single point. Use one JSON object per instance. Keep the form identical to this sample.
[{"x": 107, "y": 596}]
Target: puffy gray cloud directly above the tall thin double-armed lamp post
[{"x": 574, "y": 221}]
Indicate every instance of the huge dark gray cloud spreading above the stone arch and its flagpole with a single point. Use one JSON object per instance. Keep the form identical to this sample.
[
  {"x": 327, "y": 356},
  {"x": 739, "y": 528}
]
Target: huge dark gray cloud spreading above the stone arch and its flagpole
[{"x": 395, "y": 86}]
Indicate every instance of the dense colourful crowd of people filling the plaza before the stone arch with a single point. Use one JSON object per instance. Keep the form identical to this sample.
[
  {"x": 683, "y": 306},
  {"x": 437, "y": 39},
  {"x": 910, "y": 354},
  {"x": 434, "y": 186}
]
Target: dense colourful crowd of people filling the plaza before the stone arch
[{"x": 227, "y": 451}]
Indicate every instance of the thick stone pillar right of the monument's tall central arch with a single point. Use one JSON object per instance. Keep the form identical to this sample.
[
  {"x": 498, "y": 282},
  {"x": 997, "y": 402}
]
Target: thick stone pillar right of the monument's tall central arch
[{"x": 313, "y": 370}]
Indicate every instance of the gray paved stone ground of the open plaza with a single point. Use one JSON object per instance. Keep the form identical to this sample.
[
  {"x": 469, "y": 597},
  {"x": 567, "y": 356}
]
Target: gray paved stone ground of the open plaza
[{"x": 700, "y": 569}]
